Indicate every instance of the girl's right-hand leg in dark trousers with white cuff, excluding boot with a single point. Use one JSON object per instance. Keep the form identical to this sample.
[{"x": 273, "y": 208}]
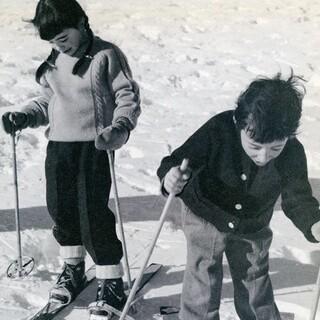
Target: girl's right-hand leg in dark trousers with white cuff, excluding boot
[{"x": 97, "y": 221}]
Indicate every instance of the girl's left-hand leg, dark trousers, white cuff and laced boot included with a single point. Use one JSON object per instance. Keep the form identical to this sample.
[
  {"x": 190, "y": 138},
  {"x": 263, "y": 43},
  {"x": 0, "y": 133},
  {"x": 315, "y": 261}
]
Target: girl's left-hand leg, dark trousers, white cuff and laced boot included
[{"x": 61, "y": 169}]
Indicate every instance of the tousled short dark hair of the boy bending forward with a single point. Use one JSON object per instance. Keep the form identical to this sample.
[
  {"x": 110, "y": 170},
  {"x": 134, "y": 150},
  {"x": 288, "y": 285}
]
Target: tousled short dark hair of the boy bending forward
[{"x": 270, "y": 108}]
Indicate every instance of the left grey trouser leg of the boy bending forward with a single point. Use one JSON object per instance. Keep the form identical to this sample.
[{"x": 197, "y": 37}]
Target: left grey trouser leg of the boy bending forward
[{"x": 202, "y": 282}]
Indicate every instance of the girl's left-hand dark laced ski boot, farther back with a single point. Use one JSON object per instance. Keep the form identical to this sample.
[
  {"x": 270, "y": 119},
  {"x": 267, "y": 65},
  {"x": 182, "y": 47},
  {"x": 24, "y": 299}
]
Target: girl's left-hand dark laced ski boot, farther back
[{"x": 69, "y": 284}]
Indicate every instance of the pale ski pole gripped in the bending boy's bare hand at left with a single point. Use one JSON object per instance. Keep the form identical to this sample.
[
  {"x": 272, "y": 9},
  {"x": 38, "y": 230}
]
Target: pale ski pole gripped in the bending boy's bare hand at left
[{"x": 183, "y": 167}]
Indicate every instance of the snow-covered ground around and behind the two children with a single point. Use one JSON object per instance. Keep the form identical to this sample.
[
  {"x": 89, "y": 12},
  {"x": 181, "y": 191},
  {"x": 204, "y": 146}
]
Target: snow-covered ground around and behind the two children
[{"x": 191, "y": 59}]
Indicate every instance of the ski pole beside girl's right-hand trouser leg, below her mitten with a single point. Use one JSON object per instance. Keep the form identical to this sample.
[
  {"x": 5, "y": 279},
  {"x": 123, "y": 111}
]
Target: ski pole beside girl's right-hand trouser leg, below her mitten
[{"x": 119, "y": 218}]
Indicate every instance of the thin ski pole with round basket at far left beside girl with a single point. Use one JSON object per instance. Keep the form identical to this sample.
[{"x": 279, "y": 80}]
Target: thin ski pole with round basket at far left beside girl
[{"x": 21, "y": 266}]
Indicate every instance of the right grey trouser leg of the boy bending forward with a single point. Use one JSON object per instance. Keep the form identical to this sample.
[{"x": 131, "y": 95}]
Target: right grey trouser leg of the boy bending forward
[{"x": 248, "y": 258}]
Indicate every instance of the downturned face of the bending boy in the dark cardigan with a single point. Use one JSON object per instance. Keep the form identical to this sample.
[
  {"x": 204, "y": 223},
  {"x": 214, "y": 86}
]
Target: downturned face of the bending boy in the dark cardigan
[{"x": 261, "y": 153}]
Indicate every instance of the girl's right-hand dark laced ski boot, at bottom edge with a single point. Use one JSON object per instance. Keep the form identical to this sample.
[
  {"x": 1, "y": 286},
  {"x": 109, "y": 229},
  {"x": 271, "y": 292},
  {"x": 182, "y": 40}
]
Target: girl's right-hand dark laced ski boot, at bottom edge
[{"x": 110, "y": 299}]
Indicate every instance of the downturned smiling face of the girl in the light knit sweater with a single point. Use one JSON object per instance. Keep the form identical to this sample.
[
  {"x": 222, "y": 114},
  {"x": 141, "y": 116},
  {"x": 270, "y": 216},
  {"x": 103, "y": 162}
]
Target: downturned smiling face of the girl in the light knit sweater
[{"x": 69, "y": 41}]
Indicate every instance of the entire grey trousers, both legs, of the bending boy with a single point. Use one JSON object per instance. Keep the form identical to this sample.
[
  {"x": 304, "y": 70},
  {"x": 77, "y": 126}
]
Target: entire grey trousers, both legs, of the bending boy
[{"x": 248, "y": 262}]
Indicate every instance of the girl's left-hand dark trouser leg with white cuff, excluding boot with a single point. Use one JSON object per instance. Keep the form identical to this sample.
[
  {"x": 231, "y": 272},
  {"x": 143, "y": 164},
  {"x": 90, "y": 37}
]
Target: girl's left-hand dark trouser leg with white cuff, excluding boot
[{"x": 61, "y": 169}]
